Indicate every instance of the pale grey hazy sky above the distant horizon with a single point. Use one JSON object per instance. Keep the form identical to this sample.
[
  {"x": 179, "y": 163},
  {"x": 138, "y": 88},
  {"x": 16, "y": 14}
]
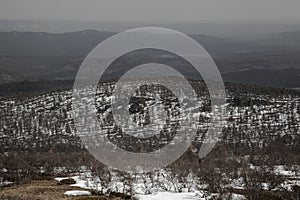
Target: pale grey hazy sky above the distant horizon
[{"x": 150, "y": 10}]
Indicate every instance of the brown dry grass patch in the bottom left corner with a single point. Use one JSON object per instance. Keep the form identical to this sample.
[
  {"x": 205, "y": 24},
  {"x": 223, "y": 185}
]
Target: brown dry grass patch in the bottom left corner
[{"x": 42, "y": 190}]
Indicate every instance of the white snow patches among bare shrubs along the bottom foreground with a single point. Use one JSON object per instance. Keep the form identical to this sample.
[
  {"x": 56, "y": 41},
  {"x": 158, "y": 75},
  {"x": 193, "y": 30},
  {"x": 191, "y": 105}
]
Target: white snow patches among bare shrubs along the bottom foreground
[{"x": 143, "y": 185}]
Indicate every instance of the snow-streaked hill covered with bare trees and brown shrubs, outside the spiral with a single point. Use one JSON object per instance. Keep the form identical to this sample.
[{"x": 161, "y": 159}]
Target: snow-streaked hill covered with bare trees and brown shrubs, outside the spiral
[{"x": 38, "y": 139}]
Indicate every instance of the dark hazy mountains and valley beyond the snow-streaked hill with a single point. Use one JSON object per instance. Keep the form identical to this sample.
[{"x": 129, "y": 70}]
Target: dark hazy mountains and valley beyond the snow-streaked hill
[{"x": 52, "y": 56}]
